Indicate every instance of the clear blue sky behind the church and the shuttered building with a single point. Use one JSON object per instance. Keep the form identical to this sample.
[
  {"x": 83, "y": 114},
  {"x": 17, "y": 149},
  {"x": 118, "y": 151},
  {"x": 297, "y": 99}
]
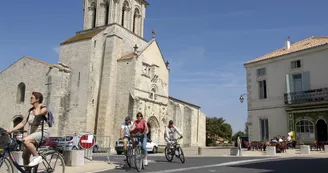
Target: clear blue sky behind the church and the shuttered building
[{"x": 206, "y": 42}]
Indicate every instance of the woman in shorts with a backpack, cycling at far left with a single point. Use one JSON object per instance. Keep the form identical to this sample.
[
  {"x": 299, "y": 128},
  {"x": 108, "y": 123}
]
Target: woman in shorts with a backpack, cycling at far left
[{"x": 33, "y": 119}]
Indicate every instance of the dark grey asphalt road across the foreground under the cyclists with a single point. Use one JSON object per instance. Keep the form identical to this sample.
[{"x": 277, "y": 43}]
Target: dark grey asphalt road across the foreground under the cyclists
[{"x": 158, "y": 164}]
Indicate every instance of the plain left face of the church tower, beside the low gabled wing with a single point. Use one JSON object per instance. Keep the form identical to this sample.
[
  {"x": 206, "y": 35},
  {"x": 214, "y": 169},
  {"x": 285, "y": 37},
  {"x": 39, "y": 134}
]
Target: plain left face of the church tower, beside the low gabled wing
[{"x": 76, "y": 56}]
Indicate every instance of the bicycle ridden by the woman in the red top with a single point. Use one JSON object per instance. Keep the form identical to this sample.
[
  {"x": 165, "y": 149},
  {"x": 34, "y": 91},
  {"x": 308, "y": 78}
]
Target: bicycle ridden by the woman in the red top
[{"x": 137, "y": 151}]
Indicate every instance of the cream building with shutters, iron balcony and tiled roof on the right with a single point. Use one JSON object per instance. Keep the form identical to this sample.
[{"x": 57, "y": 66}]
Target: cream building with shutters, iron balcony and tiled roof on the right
[{"x": 287, "y": 90}]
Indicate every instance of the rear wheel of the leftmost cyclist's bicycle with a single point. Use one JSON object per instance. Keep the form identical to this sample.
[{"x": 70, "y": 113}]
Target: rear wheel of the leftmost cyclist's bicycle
[{"x": 52, "y": 162}]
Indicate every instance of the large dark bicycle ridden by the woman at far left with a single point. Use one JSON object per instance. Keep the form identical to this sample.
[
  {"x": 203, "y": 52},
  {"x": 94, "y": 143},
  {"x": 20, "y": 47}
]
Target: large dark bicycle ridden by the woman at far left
[{"x": 11, "y": 163}]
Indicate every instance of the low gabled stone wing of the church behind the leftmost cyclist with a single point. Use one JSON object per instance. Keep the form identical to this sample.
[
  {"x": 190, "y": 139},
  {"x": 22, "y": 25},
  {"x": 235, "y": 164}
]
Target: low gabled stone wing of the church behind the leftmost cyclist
[{"x": 37, "y": 76}]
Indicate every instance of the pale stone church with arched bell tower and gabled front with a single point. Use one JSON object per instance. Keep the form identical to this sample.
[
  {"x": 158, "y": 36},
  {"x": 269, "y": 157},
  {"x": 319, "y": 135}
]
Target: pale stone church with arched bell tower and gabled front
[{"x": 105, "y": 72}]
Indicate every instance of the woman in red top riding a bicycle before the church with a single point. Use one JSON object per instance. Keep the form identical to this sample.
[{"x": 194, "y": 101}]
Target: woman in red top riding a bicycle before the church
[{"x": 140, "y": 126}]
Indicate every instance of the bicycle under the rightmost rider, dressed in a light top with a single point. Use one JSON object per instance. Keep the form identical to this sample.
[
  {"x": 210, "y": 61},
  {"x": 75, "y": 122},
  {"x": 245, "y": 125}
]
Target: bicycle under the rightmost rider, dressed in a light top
[{"x": 170, "y": 152}]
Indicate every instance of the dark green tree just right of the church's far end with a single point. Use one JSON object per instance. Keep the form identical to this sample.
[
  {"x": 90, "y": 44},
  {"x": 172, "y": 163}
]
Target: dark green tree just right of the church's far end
[{"x": 216, "y": 127}]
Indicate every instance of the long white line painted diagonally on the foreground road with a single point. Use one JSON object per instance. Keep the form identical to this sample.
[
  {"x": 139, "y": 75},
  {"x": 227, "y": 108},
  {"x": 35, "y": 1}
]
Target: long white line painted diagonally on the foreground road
[{"x": 215, "y": 165}]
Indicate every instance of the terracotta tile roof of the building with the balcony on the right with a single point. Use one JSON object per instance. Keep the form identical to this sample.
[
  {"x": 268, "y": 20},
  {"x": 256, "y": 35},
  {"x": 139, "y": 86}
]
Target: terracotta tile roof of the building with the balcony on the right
[{"x": 305, "y": 44}]
